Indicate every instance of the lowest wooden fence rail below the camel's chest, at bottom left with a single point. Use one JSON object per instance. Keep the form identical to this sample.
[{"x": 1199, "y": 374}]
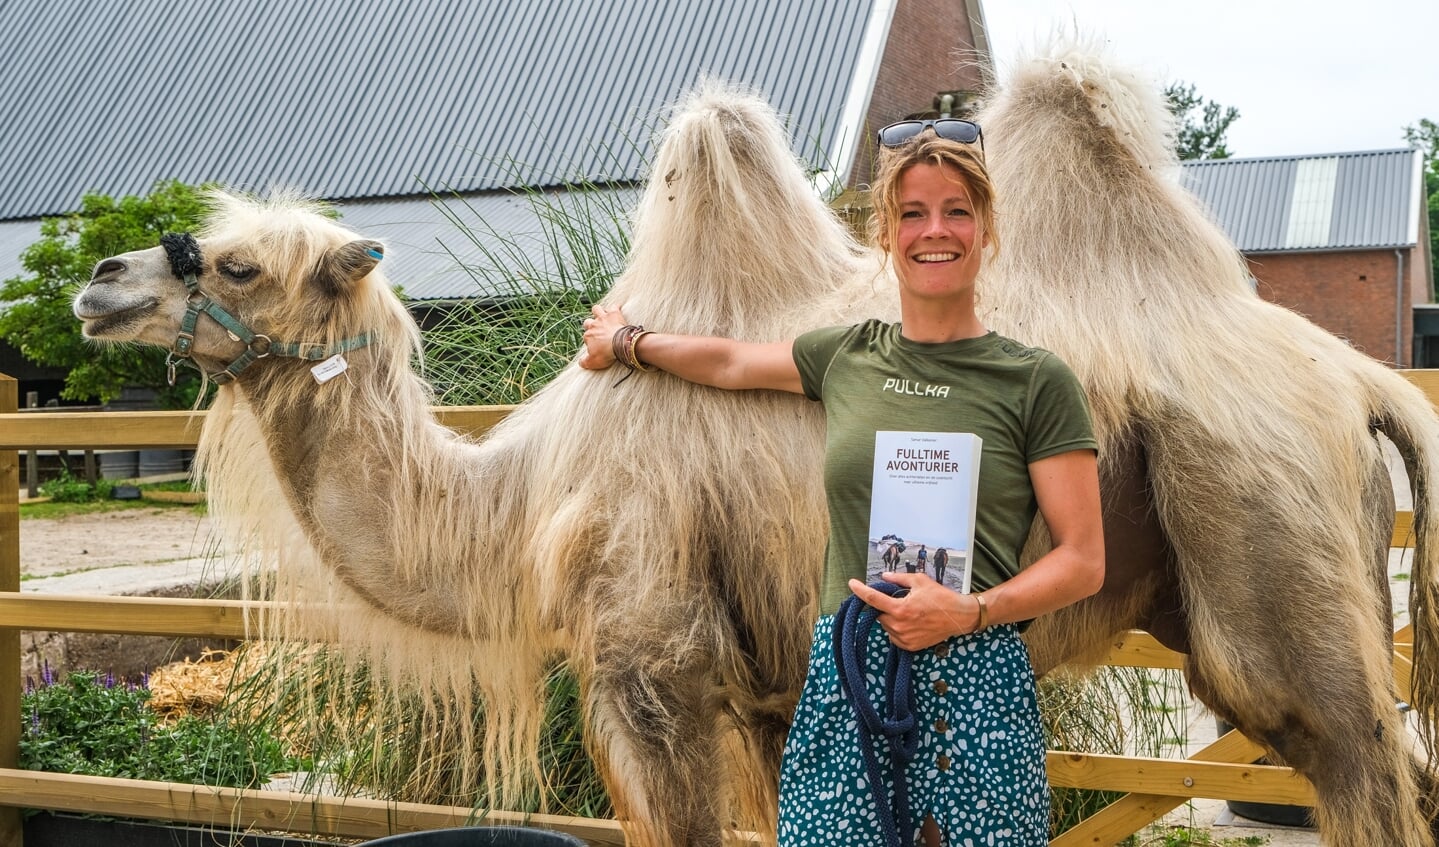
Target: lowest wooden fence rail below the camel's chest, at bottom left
[{"x": 346, "y": 818}]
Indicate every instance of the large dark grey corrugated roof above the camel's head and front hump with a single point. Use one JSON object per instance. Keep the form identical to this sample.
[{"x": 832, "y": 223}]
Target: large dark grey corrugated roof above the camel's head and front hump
[{"x": 382, "y": 99}]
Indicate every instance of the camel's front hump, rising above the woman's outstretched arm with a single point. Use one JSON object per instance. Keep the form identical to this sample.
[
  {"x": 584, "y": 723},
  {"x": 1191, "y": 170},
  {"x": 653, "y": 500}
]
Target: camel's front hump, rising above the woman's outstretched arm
[{"x": 730, "y": 237}]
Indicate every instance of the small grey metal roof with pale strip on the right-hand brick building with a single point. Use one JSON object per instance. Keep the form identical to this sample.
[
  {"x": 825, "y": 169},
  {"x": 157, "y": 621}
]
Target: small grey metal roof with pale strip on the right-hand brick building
[{"x": 1336, "y": 202}]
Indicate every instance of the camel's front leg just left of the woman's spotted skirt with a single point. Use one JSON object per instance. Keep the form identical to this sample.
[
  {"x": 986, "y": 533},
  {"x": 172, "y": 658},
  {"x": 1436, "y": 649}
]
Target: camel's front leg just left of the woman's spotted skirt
[{"x": 654, "y": 734}]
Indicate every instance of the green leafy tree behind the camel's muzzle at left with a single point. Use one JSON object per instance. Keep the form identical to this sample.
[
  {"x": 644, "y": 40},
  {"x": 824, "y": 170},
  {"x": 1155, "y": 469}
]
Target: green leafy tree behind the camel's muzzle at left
[{"x": 35, "y": 307}]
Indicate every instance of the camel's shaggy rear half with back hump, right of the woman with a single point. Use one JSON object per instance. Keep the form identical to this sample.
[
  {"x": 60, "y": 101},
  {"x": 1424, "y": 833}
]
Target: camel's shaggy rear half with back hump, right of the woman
[{"x": 1248, "y": 505}]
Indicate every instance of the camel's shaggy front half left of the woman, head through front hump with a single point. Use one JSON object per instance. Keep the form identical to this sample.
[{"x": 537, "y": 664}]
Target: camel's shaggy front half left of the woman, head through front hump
[{"x": 664, "y": 539}]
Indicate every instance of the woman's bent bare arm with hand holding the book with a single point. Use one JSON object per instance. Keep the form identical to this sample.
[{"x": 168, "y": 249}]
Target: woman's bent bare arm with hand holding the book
[{"x": 1067, "y": 488}]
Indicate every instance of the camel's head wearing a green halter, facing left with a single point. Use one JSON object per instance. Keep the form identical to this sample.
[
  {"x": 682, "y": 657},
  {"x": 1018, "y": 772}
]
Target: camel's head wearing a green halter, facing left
[{"x": 267, "y": 281}]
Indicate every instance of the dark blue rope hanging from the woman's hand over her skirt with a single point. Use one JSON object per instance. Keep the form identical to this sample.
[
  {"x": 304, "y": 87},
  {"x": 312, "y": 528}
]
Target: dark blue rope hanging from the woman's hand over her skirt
[{"x": 899, "y": 725}]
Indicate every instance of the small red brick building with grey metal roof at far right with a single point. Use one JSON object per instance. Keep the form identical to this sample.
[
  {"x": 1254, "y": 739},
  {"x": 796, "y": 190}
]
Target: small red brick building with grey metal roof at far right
[{"x": 1342, "y": 239}]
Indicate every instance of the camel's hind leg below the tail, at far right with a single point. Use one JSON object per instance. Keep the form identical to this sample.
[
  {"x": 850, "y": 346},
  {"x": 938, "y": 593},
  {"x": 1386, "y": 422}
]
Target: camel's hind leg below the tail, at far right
[{"x": 1310, "y": 678}]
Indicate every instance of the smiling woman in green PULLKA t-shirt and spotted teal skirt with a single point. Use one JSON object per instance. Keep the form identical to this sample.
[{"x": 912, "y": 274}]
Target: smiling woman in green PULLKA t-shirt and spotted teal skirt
[{"x": 981, "y": 770}]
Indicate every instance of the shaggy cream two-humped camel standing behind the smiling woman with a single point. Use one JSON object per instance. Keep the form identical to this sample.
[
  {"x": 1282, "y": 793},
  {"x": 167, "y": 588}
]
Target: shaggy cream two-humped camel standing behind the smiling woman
[{"x": 1222, "y": 478}]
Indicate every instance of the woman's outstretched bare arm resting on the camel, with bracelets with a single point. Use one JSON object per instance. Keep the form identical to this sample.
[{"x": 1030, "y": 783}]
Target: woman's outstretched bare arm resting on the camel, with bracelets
[{"x": 710, "y": 362}]
